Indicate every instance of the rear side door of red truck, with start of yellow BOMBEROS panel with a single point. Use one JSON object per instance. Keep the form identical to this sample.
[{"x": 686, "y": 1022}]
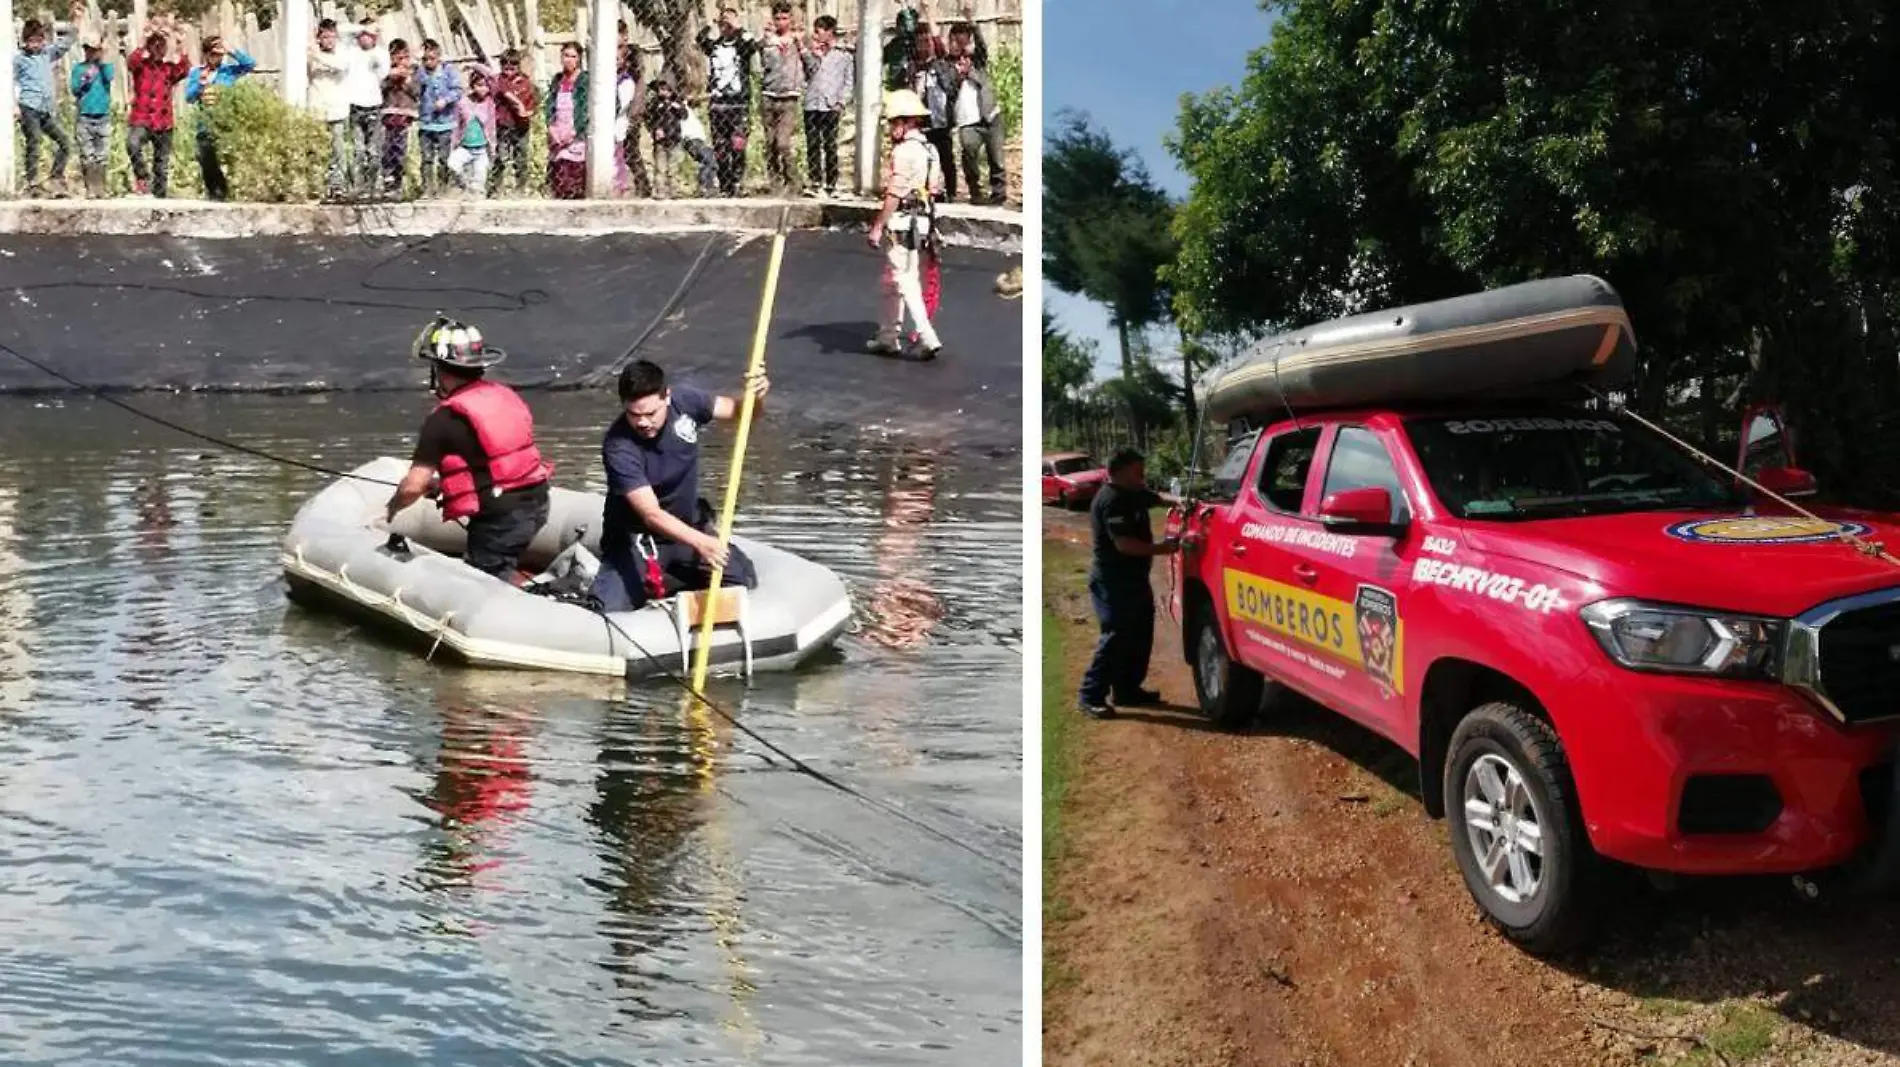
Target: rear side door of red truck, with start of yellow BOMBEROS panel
[{"x": 1280, "y": 626}]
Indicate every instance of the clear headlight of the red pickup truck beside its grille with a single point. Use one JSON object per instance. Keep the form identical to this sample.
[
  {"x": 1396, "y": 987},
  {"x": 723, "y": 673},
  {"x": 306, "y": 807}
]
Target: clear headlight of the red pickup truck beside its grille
[{"x": 1682, "y": 641}]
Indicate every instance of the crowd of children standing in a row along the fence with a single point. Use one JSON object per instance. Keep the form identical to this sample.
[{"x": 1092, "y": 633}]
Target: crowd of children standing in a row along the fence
[{"x": 470, "y": 128}]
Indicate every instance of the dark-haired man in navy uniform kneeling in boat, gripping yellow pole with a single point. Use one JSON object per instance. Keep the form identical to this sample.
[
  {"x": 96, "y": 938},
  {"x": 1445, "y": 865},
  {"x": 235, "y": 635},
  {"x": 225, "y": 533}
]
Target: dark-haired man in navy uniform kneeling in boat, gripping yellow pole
[{"x": 653, "y": 493}]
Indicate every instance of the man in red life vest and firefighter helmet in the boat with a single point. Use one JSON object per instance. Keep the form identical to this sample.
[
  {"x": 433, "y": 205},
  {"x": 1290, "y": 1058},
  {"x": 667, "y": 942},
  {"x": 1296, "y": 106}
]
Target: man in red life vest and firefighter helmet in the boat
[{"x": 480, "y": 441}]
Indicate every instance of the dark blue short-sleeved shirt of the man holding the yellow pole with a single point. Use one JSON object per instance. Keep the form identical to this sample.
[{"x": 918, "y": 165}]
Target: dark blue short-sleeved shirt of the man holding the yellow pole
[{"x": 668, "y": 464}]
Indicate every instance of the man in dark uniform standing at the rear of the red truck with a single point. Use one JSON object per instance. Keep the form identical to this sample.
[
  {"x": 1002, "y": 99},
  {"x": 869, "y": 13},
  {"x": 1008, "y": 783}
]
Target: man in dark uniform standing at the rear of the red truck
[{"x": 1124, "y": 548}]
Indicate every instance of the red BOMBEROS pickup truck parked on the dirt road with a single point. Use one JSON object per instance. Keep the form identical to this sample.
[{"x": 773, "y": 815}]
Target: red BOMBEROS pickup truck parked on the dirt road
[{"x": 1597, "y": 648}]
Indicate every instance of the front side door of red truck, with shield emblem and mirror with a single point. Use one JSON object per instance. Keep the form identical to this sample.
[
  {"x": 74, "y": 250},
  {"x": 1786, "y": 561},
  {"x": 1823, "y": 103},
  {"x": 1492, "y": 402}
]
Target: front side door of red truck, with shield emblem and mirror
[{"x": 1369, "y": 574}]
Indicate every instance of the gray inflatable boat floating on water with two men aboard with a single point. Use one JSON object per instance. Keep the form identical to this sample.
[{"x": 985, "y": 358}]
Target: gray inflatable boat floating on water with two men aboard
[{"x": 337, "y": 555}]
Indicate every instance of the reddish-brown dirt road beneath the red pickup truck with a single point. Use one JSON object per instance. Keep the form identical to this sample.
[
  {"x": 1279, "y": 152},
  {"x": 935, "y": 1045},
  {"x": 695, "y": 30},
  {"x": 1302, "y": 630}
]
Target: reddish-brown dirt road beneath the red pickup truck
[{"x": 1280, "y": 897}]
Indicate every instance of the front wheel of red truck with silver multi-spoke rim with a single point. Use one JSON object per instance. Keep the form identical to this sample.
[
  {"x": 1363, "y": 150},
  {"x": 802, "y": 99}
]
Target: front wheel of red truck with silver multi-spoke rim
[{"x": 1517, "y": 833}]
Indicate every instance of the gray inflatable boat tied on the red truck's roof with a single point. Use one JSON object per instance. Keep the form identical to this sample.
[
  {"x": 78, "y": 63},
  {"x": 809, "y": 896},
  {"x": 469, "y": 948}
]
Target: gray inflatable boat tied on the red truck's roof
[{"x": 1534, "y": 341}]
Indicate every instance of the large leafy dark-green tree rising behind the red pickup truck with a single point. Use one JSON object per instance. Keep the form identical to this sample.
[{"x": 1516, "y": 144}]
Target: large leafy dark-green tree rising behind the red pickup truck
[{"x": 1726, "y": 168}]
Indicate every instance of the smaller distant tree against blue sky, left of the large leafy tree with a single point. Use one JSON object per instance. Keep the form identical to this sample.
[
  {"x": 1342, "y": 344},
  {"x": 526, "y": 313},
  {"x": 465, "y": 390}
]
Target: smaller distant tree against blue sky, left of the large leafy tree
[{"x": 1107, "y": 229}]
